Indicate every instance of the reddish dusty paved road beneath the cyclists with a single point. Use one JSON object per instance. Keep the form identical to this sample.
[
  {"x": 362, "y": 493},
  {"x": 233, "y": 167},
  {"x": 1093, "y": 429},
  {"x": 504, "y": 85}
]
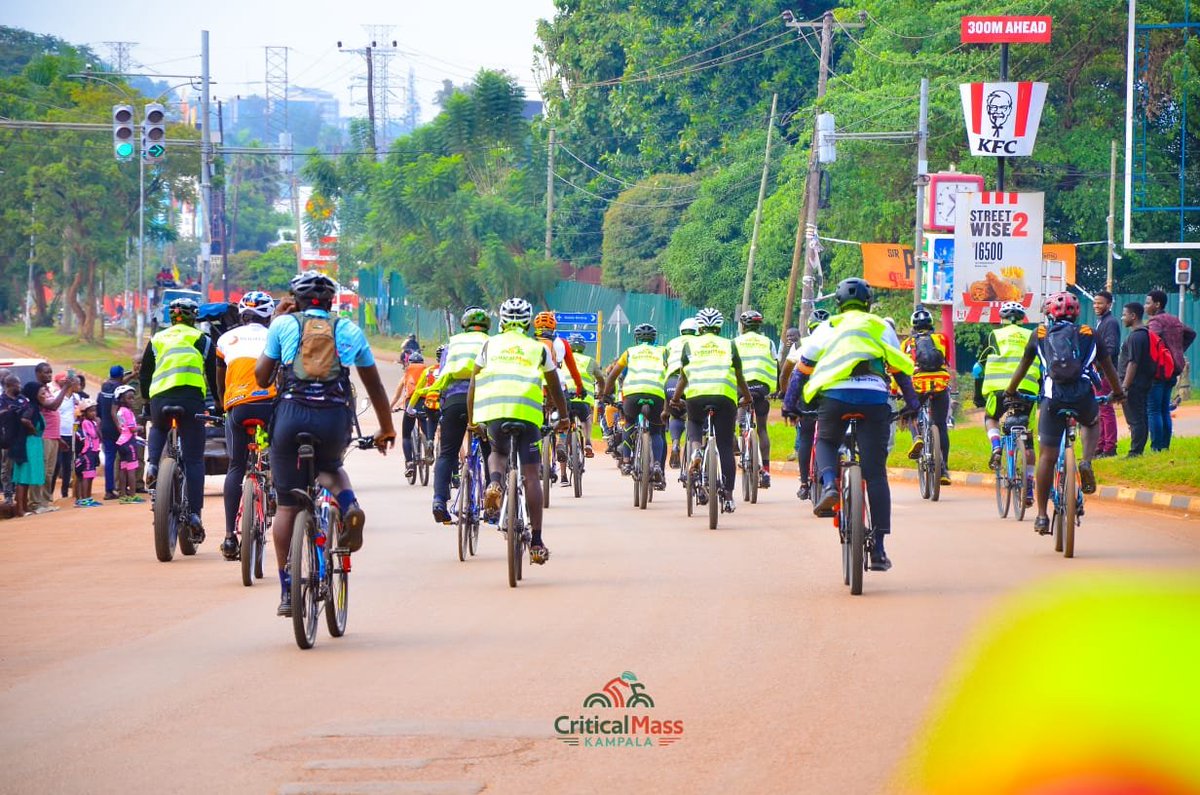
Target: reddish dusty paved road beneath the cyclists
[{"x": 122, "y": 674}]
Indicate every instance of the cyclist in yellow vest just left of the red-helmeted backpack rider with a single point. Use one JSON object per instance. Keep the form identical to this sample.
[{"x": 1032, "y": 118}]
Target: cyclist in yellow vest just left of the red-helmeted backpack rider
[{"x": 998, "y": 363}]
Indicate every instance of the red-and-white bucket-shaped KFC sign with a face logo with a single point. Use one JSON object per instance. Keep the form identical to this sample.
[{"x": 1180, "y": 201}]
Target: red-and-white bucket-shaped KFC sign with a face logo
[{"x": 1003, "y": 118}]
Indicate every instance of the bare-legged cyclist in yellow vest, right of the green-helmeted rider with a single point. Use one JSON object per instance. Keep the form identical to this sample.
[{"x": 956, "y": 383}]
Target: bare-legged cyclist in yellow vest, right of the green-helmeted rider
[{"x": 507, "y": 387}]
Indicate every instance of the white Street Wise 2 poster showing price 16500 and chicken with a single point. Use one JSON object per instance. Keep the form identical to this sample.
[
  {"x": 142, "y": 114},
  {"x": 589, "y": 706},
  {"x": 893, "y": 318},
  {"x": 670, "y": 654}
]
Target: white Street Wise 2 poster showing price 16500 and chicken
[{"x": 998, "y": 255}]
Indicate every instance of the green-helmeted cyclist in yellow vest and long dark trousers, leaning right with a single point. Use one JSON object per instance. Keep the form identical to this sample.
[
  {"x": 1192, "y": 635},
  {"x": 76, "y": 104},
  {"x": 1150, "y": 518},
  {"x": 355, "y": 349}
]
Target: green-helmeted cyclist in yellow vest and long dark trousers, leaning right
[{"x": 458, "y": 363}]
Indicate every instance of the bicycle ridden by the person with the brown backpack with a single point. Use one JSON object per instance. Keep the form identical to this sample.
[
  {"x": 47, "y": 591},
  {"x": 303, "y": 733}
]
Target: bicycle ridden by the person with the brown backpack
[{"x": 320, "y": 570}]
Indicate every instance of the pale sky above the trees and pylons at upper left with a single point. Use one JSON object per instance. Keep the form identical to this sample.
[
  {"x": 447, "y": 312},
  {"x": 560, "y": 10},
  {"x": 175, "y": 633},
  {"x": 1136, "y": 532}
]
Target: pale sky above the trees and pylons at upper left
[{"x": 446, "y": 40}]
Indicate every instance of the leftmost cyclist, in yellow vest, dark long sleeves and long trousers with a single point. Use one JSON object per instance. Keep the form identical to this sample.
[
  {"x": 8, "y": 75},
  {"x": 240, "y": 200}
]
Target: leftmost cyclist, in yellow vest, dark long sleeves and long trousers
[{"x": 178, "y": 366}]
